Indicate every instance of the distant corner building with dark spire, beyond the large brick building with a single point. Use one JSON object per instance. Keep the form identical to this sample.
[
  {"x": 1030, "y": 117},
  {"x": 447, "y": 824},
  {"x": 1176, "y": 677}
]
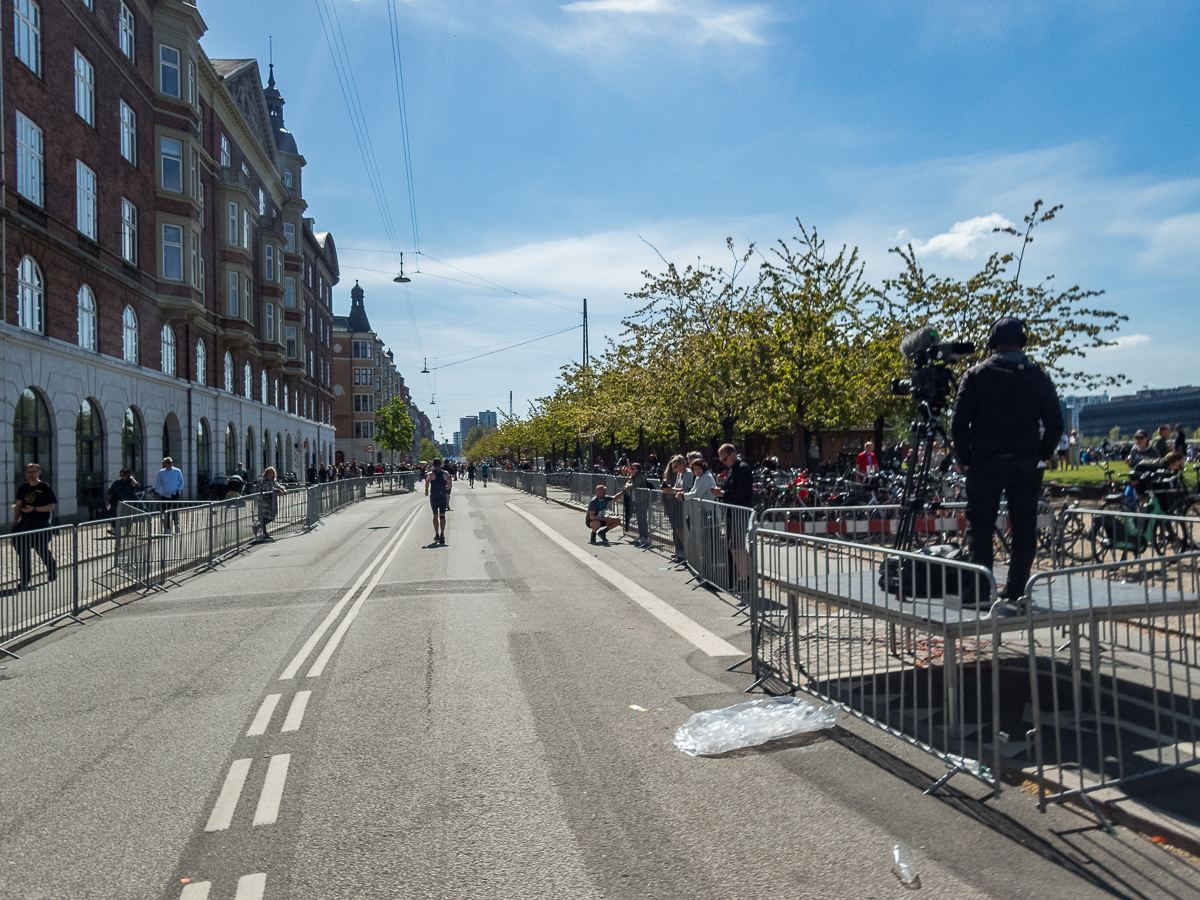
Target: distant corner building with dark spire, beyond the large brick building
[{"x": 367, "y": 380}]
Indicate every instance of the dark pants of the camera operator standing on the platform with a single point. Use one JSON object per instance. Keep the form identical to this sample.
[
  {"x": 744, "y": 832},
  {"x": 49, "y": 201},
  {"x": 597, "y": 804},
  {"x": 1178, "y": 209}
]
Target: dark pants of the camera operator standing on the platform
[{"x": 1021, "y": 481}]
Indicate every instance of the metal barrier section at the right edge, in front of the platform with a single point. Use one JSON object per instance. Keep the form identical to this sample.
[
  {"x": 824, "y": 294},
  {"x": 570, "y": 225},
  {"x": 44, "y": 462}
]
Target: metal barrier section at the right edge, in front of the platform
[{"x": 1114, "y": 673}]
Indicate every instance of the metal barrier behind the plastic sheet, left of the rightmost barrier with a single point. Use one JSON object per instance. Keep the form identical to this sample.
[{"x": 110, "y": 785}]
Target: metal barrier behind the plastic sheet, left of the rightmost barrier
[{"x": 885, "y": 635}]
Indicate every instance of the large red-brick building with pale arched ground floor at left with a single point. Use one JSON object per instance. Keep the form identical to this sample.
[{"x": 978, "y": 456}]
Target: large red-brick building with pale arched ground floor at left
[{"x": 164, "y": 292}]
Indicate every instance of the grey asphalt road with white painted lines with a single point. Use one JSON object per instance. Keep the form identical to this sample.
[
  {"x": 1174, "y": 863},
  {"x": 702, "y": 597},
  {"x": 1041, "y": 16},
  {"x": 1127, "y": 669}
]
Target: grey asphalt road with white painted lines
[{"x": 461, "y": 725}]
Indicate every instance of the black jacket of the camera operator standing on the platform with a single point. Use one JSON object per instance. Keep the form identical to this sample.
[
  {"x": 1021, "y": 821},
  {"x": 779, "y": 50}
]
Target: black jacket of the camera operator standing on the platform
[{"x": 1005, "y": 409}]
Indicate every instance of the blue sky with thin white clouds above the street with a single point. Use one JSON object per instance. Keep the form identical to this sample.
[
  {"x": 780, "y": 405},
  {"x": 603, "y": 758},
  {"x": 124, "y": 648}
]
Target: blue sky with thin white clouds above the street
[{"x": 549, "y": 140}]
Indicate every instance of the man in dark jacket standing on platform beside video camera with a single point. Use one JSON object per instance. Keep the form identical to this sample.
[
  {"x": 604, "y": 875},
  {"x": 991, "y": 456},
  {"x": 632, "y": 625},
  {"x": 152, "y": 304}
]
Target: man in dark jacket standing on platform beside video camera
[{"x": 1006, "y": 423}]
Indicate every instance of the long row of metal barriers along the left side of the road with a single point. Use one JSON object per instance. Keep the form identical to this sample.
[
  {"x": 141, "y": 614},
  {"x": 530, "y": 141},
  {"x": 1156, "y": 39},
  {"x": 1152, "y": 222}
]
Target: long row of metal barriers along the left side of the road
[{"x": 59, "y": 573}]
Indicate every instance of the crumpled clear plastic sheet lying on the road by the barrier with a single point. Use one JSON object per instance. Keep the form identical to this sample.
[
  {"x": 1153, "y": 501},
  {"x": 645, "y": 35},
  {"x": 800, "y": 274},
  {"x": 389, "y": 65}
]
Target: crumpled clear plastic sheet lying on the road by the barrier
[{"x": 718, "y": 731}]
